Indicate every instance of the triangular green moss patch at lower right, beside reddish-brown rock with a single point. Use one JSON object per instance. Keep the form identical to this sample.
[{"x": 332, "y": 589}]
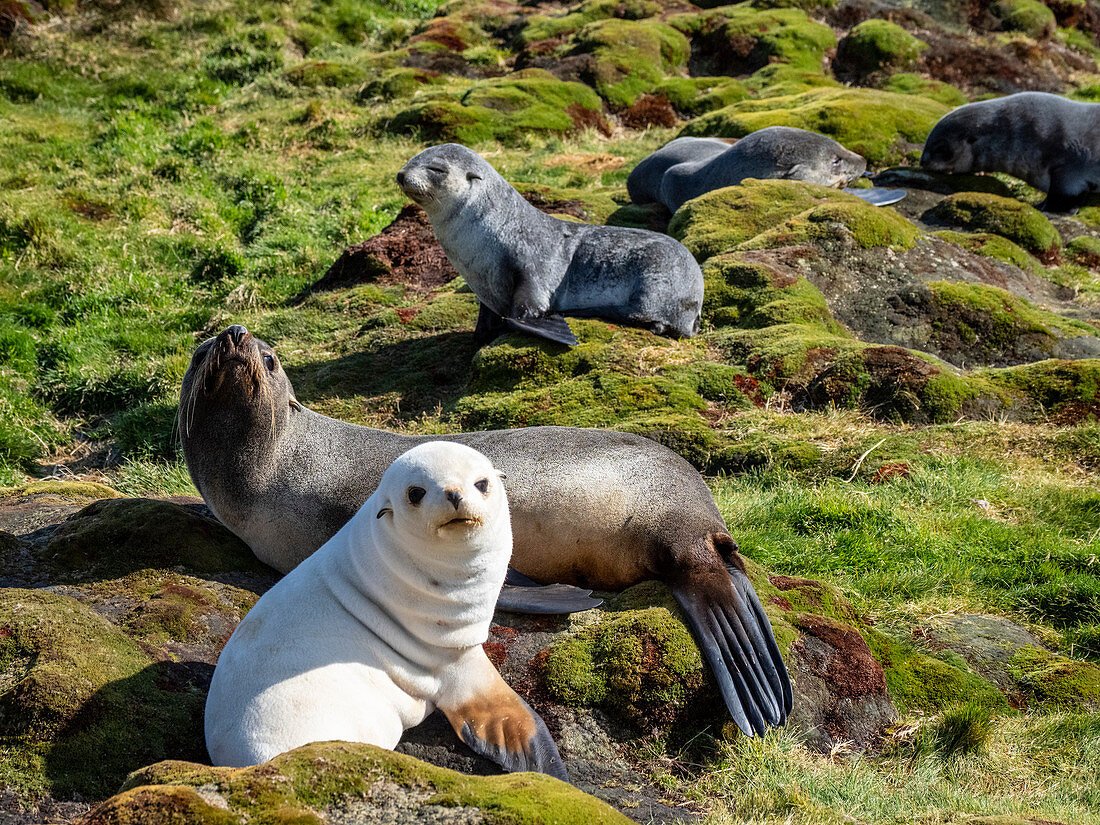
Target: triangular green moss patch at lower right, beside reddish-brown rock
[{"x": 919, "y": 683}]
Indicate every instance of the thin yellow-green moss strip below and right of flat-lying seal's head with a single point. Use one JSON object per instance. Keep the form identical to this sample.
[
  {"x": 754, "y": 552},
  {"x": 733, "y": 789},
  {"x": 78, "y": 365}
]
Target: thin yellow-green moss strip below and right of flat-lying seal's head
[{"x": 868, "y": 226}]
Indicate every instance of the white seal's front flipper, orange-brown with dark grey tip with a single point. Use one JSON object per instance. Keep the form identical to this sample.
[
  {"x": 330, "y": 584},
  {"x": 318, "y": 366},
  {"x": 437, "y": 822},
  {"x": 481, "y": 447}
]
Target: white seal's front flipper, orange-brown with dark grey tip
[{"x": 499, "y": 725}]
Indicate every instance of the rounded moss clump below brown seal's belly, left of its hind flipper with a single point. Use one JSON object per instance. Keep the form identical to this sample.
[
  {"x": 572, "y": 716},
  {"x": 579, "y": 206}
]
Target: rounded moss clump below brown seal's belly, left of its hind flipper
[{"x": 641, "y": 665}]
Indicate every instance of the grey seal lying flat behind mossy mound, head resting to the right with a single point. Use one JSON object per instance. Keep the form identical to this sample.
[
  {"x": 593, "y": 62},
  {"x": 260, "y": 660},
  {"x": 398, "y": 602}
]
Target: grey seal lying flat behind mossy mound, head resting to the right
[{"x": 691, "y": 167}]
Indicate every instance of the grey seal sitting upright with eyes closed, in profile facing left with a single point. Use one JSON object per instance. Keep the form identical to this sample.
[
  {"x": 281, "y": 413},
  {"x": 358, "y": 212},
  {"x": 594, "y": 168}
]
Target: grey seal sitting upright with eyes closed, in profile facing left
[{"x": 524, "y": 265}]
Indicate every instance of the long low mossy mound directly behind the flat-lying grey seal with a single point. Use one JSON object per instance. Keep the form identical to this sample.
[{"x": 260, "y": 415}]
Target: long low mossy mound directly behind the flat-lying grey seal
[{"x": 882, "y": 126}]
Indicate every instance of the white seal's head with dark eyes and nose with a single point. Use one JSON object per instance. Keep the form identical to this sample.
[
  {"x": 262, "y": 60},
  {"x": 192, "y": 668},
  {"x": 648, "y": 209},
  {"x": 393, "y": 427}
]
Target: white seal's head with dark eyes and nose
[{"x": 445, "y": 496}]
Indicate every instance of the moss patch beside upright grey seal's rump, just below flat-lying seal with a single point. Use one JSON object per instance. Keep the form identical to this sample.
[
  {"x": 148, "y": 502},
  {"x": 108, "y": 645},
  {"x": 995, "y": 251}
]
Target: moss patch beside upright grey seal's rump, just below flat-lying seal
[{"x": 723, "y": 219}]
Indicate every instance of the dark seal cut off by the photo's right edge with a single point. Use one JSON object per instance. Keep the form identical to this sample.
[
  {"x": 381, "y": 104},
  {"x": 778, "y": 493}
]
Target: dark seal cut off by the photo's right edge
[{"x": 1049, "y": 141}]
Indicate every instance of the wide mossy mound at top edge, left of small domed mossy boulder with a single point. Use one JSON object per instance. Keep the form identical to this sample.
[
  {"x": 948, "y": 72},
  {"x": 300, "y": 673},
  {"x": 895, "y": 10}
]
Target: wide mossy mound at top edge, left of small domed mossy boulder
[{"x": 741, "y": 39}]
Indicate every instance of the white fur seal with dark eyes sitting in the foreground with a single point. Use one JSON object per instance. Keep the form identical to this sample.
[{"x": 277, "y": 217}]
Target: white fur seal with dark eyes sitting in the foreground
[{"x": 382, "y": 625}]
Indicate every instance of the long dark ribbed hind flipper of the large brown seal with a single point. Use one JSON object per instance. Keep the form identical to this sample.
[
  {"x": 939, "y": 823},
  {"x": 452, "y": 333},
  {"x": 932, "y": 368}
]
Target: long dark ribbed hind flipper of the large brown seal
[{"x": 736, "y": 640}]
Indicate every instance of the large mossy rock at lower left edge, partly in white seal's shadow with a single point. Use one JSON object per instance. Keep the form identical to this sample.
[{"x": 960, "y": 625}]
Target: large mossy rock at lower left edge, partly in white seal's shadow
[{"x": 82, "y": 705}]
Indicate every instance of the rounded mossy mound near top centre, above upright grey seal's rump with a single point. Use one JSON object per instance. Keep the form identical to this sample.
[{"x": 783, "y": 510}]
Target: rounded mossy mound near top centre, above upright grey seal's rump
[{"x": 631, "y": 58}]
